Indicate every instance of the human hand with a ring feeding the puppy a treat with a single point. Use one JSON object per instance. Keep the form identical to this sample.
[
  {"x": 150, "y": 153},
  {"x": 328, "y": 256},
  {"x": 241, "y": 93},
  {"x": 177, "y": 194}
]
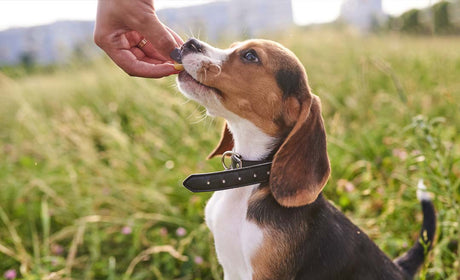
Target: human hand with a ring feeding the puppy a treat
[{"x": 121, "y": 26}]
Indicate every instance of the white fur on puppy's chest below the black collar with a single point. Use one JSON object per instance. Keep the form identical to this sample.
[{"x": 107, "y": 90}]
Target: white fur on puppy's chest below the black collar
[{"x": 236, "y": 239}]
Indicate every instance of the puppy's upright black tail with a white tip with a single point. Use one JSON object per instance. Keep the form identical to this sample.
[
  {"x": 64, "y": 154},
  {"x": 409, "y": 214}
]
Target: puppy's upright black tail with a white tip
[{"x": 414, "y": 258}]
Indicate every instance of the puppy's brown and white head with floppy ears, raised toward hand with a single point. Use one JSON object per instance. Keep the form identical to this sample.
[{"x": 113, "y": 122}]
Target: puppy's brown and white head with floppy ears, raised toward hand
[{"x": 265, "y": 84}]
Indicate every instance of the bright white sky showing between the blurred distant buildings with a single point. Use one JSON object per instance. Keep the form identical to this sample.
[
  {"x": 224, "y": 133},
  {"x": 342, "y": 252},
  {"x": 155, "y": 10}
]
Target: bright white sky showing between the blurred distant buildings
[{"x": 18, "y": 13}]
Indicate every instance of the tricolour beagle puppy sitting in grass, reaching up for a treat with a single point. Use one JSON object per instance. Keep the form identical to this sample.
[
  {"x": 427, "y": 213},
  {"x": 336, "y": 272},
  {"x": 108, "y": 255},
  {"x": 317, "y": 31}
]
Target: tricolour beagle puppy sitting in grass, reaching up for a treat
[{"x": 282, "y": 228}]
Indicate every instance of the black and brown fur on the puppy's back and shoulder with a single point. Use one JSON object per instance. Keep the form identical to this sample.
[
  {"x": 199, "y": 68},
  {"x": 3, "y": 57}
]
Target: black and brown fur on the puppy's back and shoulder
[{"x": 324, "y": 244}]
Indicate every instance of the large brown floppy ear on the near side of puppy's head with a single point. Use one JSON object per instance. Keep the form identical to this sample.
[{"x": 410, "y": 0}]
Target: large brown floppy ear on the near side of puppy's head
[{"x": 301, "y": 166}]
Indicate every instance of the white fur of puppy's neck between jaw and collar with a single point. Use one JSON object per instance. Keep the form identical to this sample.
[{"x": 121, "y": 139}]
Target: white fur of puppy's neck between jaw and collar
[{"x": 250, "y": 141}]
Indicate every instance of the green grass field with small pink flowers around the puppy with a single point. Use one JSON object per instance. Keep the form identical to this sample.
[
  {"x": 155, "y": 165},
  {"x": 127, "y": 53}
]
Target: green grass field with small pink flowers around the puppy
[{"x": 92, "y": 160}]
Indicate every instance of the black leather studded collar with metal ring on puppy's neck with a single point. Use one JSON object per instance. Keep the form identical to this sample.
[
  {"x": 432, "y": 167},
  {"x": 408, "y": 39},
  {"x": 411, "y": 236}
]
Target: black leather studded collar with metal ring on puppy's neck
[{"x": 241, "y": 173}]
